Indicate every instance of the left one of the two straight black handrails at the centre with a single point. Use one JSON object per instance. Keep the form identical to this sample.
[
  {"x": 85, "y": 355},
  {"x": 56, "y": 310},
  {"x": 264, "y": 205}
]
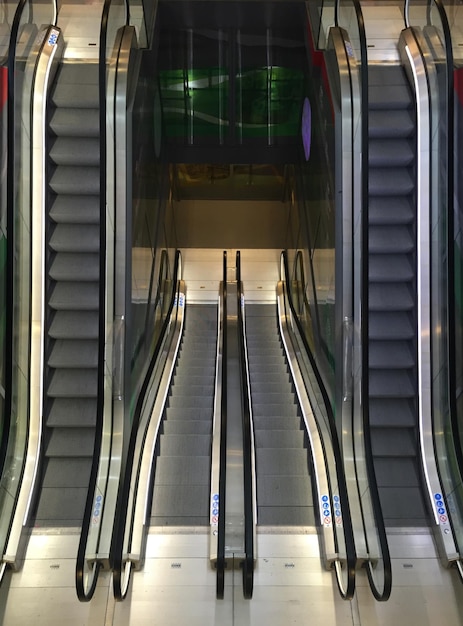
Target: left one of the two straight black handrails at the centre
[{"x": 220, "y": 565}]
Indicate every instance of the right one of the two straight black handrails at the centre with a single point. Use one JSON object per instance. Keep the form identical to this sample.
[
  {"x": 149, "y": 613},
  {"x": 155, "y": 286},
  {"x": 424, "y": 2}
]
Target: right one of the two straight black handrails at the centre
[{"x": 248, "y": 563}]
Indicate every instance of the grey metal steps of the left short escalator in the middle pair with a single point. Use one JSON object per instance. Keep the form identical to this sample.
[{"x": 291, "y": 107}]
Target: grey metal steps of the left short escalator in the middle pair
[{"x": 183, "y": 466}]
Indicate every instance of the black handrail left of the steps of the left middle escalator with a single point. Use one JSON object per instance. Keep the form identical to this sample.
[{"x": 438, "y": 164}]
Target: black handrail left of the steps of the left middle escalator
[{"x": 120, "y": 590}]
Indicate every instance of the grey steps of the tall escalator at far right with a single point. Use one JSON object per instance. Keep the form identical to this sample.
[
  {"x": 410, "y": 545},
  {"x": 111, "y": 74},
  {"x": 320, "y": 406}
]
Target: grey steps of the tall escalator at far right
[{"x": 393, "y": 390}]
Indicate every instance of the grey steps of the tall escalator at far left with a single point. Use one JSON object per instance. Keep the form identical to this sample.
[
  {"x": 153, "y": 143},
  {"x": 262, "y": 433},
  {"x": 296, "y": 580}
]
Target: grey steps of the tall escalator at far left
[{"x": 73, "y": 265}]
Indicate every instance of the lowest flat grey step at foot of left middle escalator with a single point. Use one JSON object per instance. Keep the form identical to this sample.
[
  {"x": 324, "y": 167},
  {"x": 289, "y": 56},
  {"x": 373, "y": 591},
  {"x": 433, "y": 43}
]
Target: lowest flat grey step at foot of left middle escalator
[{"x": 173, "y": 504}]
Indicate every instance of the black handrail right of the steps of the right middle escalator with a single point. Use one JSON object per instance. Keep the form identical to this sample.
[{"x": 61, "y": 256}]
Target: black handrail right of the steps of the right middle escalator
[{"x": 346, "y": 592}]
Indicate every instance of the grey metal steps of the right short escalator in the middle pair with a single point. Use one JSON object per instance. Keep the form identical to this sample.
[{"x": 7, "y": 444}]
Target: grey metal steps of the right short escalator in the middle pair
[{"x": 284, "y": 491}]
